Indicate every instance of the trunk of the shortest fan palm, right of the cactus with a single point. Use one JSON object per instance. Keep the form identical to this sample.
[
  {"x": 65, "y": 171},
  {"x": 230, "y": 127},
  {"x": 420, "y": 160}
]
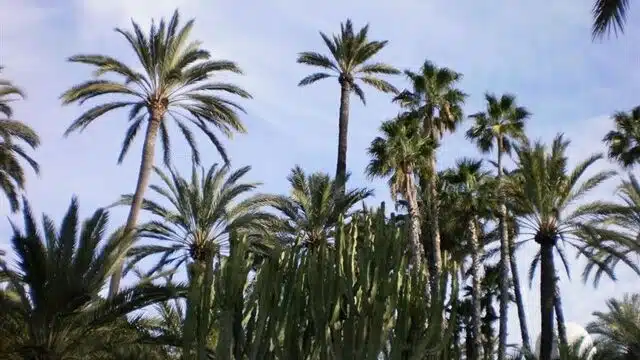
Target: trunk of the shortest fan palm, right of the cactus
[{"x": 476, "y": 317}]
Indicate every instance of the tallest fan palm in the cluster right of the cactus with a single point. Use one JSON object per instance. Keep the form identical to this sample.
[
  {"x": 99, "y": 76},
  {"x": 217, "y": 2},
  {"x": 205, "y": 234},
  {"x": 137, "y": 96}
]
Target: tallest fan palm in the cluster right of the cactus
[{"x": 435, "y": 100}]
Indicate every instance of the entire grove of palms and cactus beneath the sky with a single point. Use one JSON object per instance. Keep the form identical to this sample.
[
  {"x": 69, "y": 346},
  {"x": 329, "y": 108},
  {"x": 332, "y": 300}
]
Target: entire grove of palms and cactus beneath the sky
[{"x": 313, "y": 275}]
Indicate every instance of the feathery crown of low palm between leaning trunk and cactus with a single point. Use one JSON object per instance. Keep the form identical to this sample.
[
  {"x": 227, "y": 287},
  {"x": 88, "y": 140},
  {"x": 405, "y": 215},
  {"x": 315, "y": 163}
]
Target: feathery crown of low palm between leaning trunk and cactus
[{"x": 200, "y": 214}]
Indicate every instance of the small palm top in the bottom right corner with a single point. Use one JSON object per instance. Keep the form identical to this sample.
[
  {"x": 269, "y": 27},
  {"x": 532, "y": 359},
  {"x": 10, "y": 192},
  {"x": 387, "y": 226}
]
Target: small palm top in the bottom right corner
[{"x": 619, "y": 327}]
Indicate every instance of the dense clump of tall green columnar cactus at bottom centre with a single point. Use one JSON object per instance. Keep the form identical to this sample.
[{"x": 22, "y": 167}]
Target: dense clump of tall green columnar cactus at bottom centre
[{"x": 355, "y": 297}]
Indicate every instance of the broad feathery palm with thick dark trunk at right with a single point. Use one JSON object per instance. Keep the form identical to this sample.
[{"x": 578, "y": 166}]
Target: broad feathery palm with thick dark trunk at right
[{"x": 542, "y": 194}]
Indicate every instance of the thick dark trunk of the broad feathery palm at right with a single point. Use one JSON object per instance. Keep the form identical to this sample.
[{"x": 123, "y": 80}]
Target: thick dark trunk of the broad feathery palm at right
[{"x": 547, "y": 299}]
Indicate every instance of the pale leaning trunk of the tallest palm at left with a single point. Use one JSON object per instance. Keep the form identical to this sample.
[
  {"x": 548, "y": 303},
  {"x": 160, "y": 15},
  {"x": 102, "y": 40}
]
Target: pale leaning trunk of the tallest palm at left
[{"x": 146, "y": 166}]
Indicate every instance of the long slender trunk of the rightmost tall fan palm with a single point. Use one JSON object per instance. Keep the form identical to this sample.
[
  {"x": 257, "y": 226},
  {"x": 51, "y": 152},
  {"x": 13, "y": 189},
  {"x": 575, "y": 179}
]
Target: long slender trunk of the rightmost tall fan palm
[{"x": 504, "y": 263}]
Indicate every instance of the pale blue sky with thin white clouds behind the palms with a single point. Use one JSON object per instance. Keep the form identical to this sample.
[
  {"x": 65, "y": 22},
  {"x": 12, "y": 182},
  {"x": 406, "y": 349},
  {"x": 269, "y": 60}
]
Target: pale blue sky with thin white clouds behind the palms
[{"x": 540, "y": 51}]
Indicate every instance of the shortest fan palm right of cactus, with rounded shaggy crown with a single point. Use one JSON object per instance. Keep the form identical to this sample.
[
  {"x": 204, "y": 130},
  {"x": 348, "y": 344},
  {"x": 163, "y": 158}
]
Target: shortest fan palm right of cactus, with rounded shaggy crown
[{"x": 473, "y": 187}]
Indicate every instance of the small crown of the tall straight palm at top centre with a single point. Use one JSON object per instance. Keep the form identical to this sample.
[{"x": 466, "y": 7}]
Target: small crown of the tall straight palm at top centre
[{"x": 349, "y": 62}]
